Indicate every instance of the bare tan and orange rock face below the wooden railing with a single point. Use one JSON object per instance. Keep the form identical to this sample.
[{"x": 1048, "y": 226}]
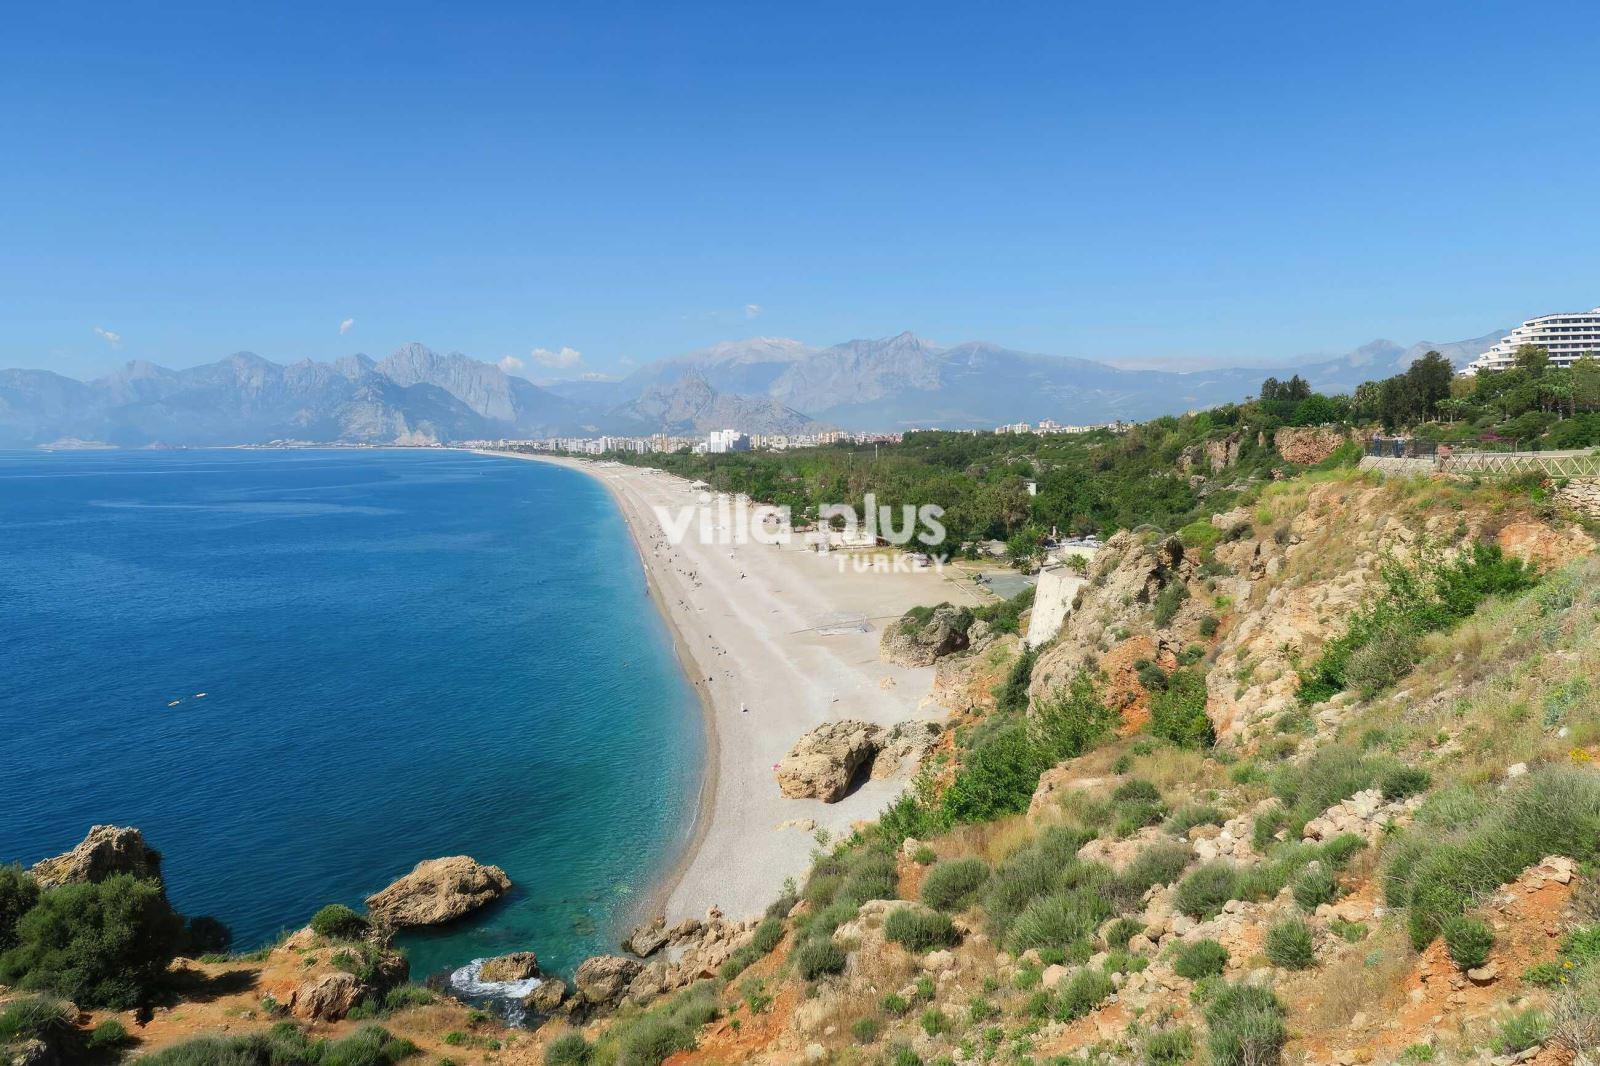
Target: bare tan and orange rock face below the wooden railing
[{"x": 1266, "y": 590}]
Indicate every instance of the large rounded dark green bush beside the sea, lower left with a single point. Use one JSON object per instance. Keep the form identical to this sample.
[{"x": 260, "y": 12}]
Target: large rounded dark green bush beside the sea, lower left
[{"x": 100, "y": 945}]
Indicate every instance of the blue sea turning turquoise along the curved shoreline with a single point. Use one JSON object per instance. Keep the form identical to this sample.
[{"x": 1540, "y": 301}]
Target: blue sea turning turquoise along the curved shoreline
[{"x": 404, "y": 655}]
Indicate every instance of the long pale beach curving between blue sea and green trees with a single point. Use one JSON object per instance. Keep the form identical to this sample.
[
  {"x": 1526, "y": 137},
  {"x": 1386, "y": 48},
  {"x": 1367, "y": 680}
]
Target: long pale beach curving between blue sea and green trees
[{"x": 774, "y": 641}]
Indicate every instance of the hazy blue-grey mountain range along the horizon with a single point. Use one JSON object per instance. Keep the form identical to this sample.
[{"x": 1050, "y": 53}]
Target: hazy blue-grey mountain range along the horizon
[{"x": 761, "y": 385}]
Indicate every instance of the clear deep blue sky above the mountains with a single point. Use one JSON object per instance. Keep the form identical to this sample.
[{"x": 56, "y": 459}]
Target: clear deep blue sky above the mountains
[{"x": 1210, "y": 183}]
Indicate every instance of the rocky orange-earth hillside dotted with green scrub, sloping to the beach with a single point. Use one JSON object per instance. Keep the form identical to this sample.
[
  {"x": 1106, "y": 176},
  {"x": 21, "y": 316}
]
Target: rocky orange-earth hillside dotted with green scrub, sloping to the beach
[{"x": 1388, "y": 875}]
